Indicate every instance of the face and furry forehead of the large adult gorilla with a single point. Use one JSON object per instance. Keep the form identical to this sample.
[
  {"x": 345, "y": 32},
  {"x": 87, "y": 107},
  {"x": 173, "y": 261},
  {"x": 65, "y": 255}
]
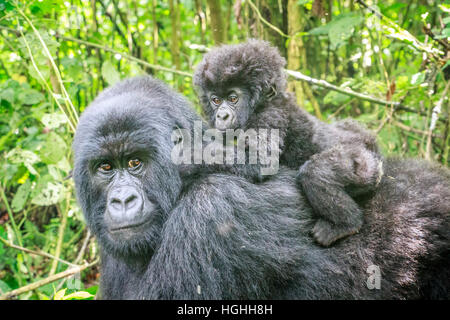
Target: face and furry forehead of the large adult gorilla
[{"x": 124, "y": 177}]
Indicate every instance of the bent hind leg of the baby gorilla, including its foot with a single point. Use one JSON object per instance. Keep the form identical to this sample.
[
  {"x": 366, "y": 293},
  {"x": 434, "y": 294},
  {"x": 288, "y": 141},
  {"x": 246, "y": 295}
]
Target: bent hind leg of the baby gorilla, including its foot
[{"x": 330, "y": 179}]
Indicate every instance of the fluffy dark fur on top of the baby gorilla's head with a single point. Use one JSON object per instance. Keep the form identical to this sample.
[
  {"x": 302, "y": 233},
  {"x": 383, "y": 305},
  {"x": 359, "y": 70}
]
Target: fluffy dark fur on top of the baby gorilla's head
[{"x": 254, "y": 65}]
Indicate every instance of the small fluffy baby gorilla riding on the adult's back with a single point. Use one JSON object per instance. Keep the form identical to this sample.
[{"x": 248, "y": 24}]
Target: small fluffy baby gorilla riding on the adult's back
[{"x": 243, "y": 86}]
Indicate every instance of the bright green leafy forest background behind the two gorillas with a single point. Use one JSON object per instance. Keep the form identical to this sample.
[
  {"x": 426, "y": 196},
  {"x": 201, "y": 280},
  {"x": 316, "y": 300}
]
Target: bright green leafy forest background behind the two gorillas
[{"x": 56, "y": 56}]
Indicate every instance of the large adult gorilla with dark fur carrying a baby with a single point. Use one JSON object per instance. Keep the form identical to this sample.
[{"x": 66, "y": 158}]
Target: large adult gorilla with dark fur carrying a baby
[{"x": 165, "y": 235}]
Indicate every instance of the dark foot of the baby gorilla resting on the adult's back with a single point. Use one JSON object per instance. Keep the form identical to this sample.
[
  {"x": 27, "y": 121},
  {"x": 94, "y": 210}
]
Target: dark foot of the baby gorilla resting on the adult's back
[{"x": 326, "y": 233}]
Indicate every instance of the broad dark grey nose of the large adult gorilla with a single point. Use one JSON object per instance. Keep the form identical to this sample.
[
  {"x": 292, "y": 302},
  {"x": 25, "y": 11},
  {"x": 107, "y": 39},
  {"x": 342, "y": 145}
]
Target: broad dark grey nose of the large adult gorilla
[{"x": 124, "y": 204}]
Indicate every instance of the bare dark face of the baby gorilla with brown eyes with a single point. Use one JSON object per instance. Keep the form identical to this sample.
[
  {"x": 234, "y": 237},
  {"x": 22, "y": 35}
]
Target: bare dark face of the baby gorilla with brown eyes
[{"x": 230, "y": 108}]
